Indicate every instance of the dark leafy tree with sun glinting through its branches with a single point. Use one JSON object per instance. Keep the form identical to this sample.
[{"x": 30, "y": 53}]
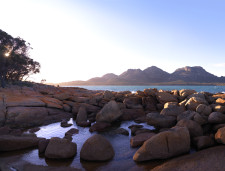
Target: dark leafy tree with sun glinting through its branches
[{"x": 15, "y": 63}]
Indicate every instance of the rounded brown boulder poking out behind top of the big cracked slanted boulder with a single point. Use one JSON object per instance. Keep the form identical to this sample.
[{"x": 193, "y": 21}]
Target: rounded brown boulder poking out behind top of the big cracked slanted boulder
[{"x": 194, "y": 128}]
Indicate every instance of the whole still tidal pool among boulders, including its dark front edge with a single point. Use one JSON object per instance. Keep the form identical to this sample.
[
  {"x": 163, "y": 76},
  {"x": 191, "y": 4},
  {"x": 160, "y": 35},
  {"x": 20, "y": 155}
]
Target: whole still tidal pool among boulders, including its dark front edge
[{"x": 123, "y": 159}]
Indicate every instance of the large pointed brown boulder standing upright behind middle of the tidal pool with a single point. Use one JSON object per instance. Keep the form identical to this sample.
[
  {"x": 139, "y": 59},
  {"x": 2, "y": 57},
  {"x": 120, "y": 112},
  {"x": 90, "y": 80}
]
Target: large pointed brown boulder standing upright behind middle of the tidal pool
[{"x": 109, "y": 113}]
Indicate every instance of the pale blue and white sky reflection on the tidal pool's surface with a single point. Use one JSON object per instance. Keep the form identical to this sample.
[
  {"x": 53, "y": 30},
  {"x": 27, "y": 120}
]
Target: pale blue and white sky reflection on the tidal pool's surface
[{"x": 120, "y": 143}]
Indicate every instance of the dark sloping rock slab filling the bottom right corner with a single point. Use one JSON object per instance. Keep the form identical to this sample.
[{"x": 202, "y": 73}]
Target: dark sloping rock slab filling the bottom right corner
[{"x": 209, "y": 159}]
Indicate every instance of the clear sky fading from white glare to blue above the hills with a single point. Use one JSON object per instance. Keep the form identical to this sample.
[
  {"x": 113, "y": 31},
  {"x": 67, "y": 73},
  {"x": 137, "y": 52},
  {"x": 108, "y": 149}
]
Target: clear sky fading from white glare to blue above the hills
[{"x": 81, "y": 39}]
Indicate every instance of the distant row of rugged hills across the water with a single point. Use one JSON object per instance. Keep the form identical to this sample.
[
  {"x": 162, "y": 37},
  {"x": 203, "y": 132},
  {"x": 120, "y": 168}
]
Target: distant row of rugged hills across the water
[{"x": 154, "y": 76}]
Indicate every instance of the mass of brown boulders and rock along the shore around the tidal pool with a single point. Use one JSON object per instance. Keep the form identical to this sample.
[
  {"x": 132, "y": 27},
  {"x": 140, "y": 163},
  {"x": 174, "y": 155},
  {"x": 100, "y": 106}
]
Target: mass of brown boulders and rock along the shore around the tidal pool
[{"x": 182, "y": 119}]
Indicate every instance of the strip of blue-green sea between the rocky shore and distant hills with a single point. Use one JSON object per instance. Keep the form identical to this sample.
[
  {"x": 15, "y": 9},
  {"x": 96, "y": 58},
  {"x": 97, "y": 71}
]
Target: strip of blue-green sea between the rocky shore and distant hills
[{"x": 211, "y": 89}]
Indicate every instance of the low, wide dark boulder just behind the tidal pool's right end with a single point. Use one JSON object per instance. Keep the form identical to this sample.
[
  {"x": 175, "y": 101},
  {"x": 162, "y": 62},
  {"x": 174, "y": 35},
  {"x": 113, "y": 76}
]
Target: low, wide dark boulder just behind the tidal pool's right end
[{"x": 161, "y": 121}]
